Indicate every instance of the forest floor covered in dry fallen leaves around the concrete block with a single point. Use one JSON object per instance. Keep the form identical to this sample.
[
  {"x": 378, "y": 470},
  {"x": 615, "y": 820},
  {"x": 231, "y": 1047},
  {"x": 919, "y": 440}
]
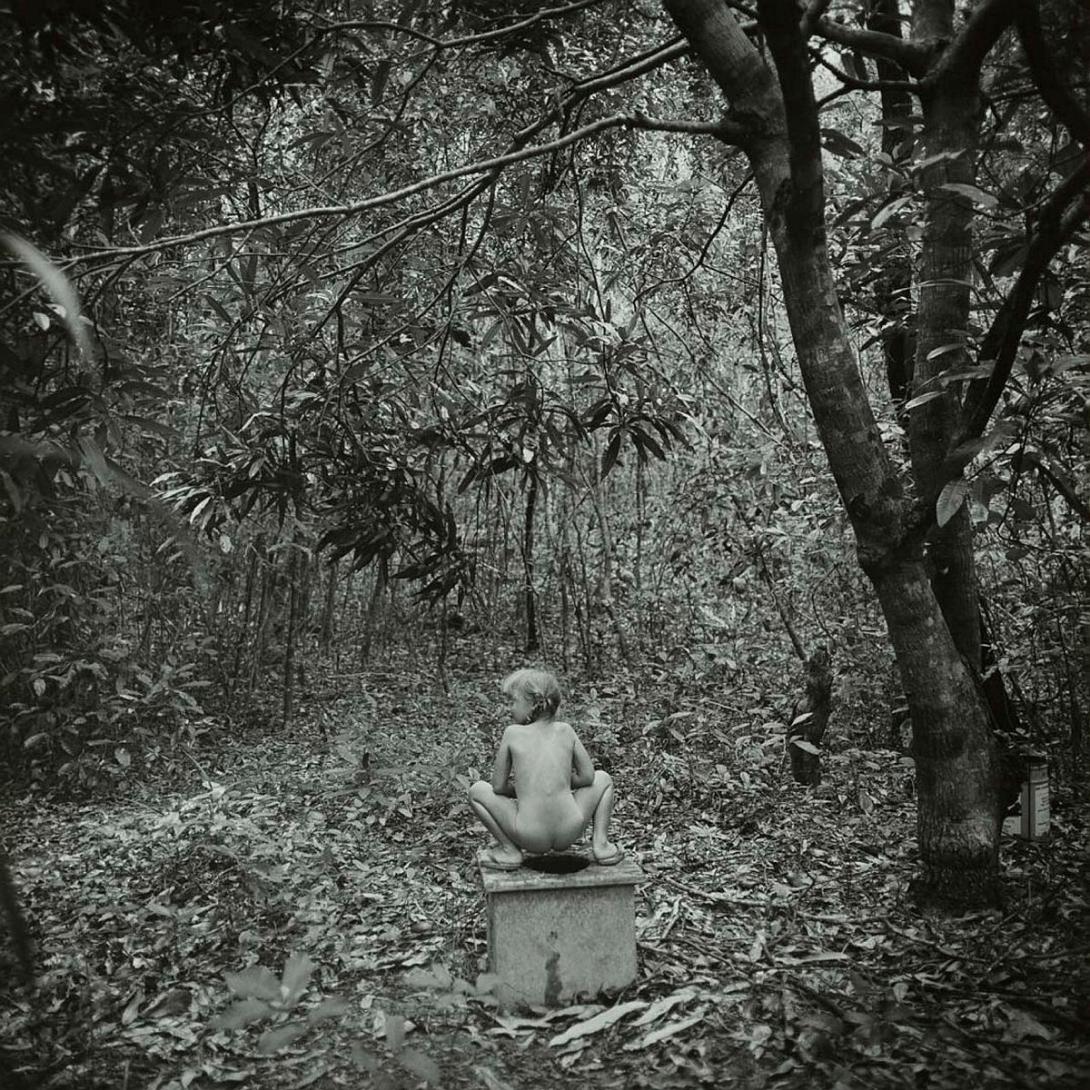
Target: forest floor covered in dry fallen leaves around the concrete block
[{"x": 304, "y": 910}]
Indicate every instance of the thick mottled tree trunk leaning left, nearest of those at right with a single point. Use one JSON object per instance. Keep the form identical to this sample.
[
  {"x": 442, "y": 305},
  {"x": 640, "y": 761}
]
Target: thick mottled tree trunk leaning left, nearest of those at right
[{"x": 779, "y": 129}]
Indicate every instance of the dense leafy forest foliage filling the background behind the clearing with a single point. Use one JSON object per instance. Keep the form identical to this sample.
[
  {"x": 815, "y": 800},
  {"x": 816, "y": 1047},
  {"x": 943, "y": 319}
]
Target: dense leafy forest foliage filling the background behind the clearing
[{"x": 310, "y": 414}]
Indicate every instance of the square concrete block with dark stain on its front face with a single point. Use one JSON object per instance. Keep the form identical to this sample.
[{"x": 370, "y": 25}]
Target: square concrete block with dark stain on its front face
[{"x": 554, "y": 938}]
